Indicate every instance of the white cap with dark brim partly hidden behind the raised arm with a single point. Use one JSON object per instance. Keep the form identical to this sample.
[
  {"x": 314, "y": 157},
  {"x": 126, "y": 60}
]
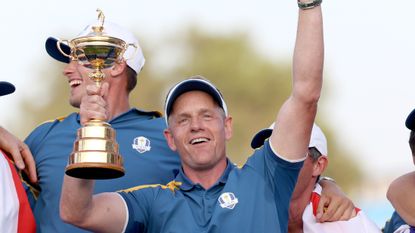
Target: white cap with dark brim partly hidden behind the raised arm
[{"x": 317, "y": 139}]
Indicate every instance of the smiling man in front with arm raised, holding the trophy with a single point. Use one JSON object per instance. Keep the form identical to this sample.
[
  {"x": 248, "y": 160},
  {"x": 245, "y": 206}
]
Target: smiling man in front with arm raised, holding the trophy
[{"x": 210, "y": 194}]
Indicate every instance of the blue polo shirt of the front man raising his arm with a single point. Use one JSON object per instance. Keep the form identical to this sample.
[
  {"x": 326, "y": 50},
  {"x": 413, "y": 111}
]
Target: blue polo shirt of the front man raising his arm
[{"x": 254, "y": 198}]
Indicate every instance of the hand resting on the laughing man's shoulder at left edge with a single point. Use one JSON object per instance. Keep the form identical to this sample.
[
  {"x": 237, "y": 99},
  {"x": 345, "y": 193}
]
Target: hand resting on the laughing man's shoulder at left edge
[{"x": 19, "y": 152}]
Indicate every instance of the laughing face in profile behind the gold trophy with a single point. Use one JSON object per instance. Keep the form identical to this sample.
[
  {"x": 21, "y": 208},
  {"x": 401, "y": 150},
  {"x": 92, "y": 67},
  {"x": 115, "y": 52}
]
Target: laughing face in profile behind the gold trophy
[{"x": 78, "y": 79}]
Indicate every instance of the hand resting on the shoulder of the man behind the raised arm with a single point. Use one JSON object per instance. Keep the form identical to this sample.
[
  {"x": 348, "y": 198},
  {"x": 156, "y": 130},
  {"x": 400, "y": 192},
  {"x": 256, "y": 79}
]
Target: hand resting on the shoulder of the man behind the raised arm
[{"x": 334, "y": 205}]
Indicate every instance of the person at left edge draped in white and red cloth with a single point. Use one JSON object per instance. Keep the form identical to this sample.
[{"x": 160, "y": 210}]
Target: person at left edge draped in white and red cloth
[{"x": 15, "y": 215}]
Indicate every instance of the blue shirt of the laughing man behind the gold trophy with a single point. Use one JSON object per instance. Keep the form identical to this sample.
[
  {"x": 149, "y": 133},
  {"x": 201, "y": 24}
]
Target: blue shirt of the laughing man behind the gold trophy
[{"x": 51, "y": 144}]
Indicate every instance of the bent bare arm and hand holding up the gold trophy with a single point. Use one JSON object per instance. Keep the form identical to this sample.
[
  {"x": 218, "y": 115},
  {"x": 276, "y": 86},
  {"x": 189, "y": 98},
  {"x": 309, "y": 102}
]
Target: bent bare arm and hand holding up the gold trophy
[{"x": 103, "y": 212}]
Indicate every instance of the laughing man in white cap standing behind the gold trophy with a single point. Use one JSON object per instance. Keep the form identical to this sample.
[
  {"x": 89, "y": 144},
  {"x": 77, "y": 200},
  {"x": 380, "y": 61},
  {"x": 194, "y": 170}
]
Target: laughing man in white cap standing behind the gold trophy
[{"x": 147, "y": 158}]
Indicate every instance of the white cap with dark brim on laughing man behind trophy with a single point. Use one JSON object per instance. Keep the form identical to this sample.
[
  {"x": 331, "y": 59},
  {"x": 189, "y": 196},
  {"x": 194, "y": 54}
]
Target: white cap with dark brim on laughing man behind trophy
[{"x": 134, "y": 56}]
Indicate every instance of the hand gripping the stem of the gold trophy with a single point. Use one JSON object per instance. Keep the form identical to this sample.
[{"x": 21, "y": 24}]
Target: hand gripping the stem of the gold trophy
[{"x": 93, "y": 105}]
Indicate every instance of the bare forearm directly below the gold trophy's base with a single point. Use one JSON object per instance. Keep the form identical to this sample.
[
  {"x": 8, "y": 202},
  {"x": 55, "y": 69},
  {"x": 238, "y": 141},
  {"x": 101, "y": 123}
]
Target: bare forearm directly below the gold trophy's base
[{"x": 76, "y": 200}]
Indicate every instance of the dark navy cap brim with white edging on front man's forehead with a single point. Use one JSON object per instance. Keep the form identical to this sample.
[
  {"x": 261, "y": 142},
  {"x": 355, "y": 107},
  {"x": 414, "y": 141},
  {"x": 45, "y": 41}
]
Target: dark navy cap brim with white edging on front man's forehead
[{"x": 193, "y": 85}]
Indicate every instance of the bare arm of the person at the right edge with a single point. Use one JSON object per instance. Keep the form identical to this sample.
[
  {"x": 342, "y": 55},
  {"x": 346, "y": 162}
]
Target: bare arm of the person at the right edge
[{"x": 400, "y": 194}]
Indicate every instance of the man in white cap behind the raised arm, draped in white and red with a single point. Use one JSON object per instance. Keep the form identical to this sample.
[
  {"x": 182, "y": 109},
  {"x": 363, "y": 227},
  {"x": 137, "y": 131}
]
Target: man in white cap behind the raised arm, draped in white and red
[{"x": 307, "y": 192}]
